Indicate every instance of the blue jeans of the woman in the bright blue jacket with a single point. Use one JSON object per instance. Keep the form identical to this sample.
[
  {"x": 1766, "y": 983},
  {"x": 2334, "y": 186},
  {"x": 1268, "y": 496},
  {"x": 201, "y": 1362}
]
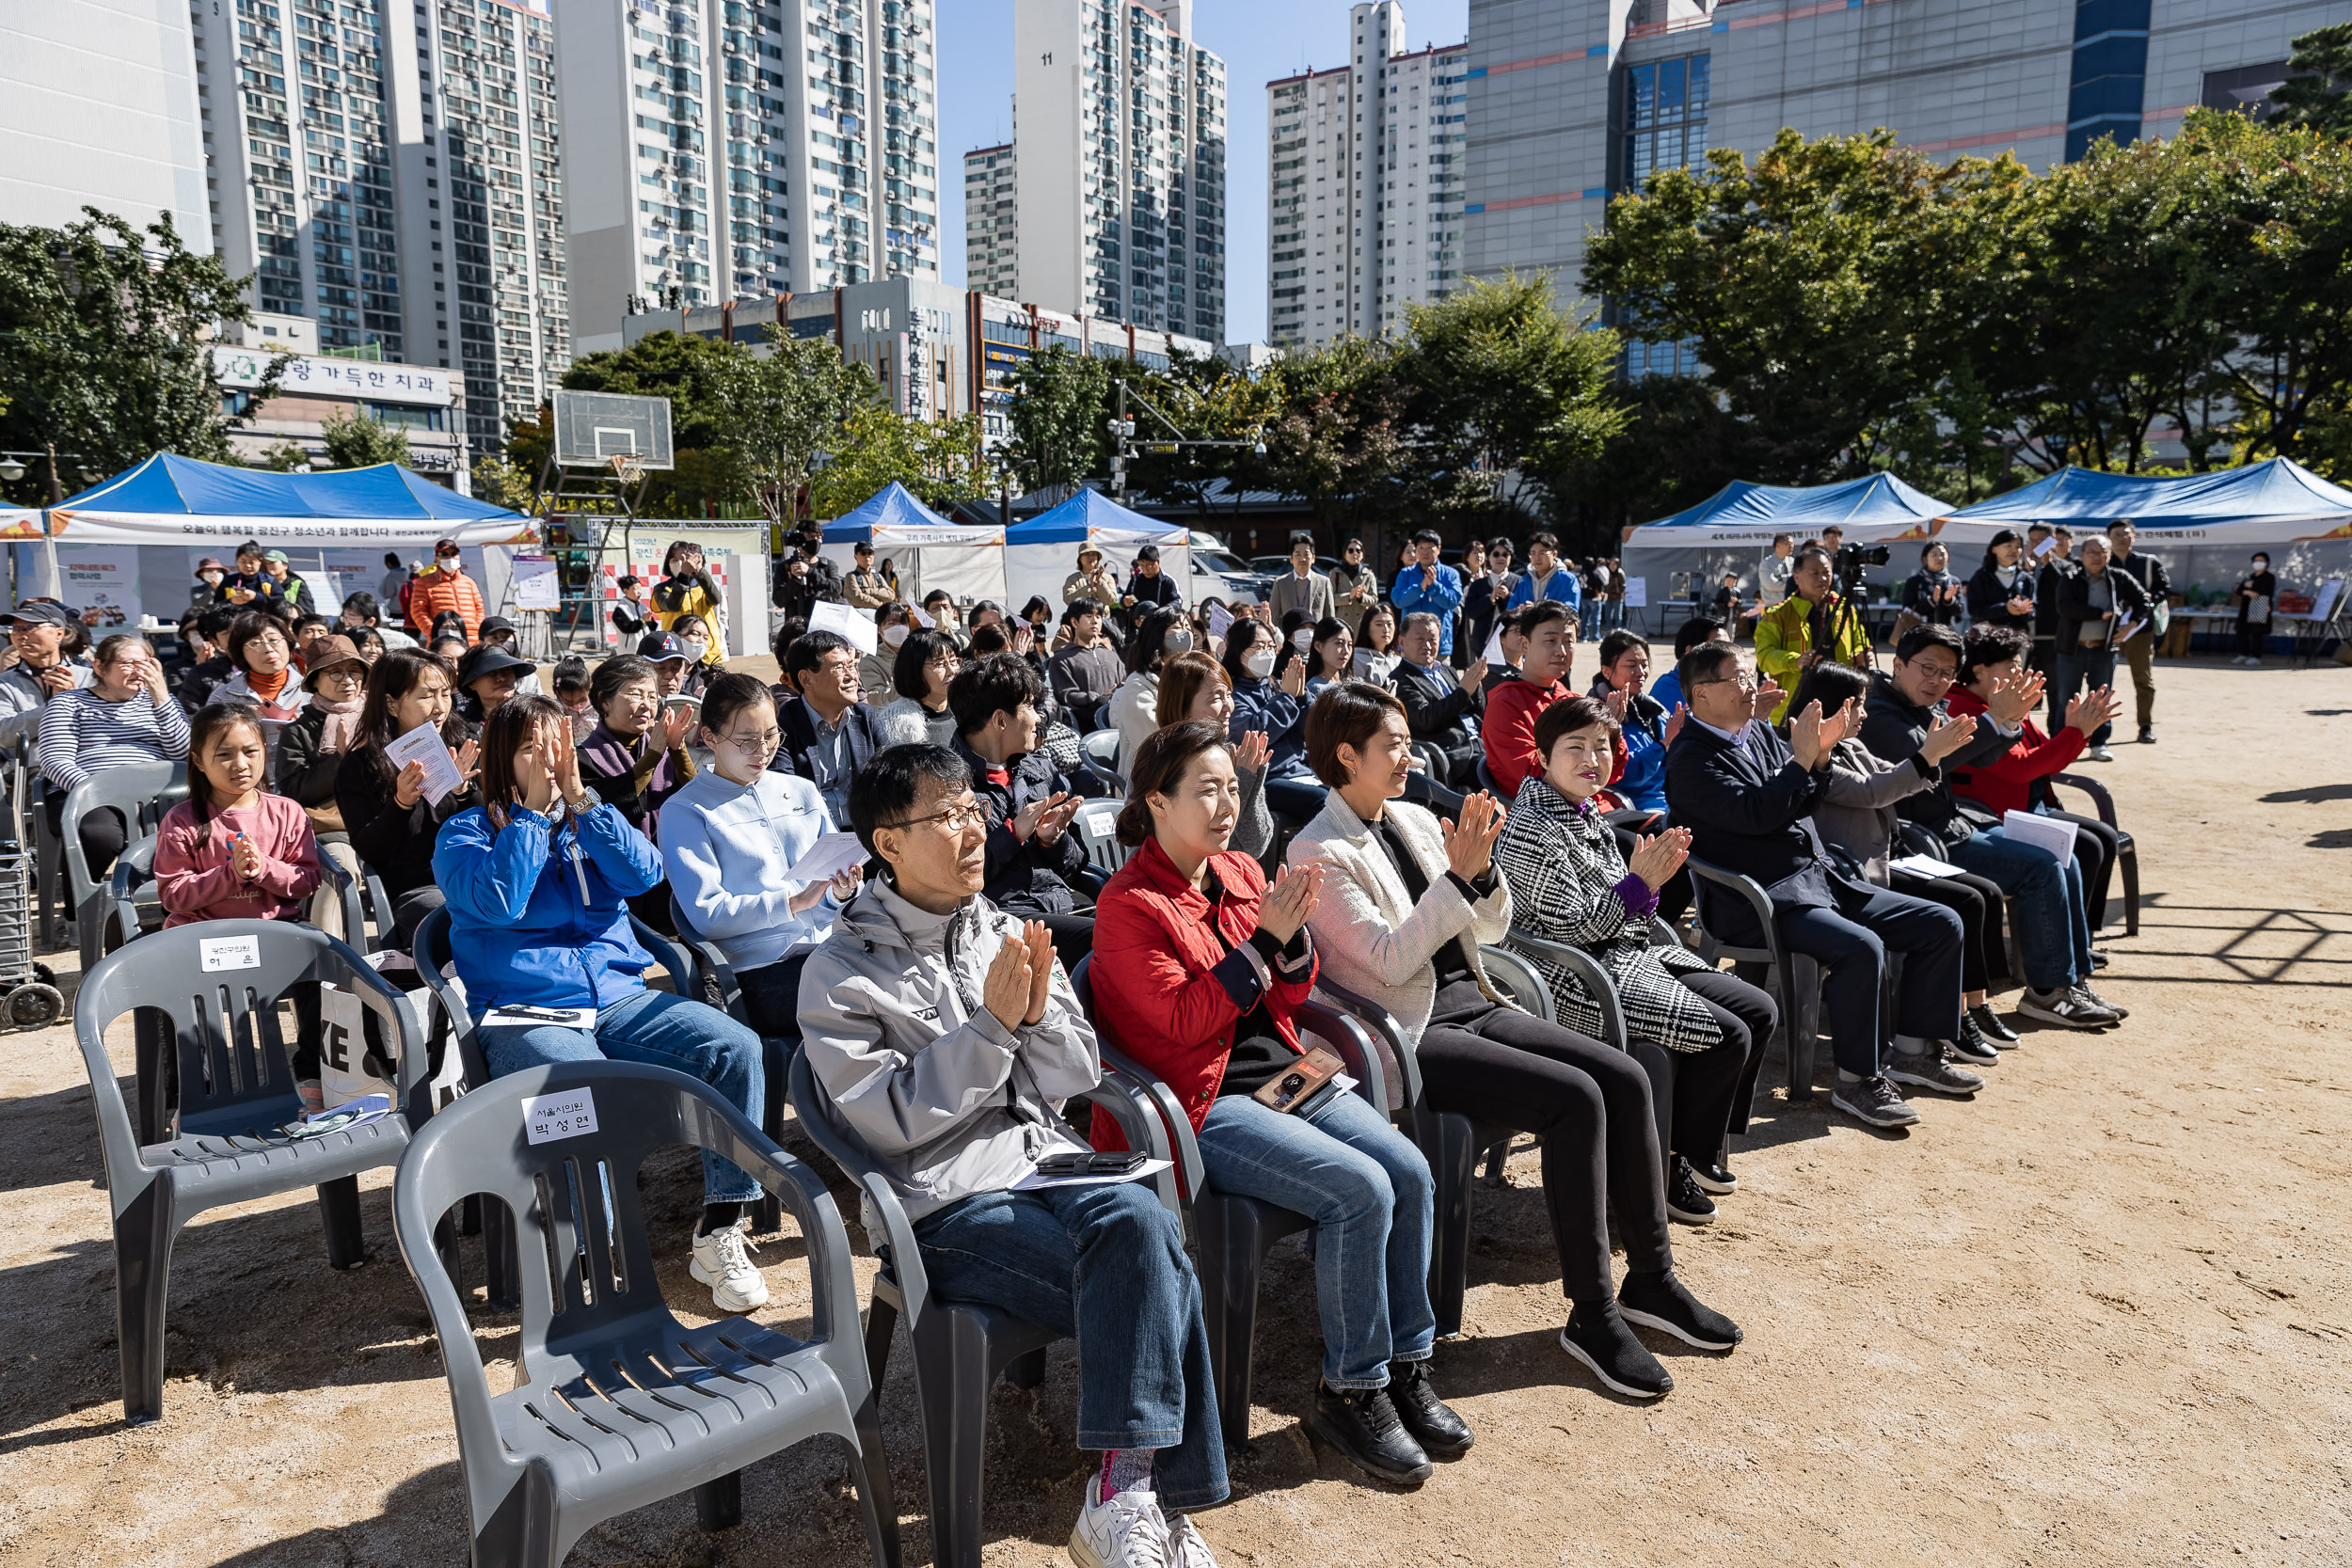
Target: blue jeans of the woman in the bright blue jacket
[{"x": 657, "y": 1031}]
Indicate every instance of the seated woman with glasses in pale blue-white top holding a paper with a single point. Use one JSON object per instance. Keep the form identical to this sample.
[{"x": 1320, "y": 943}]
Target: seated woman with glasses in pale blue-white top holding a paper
[{"x": 730, "y": 840}]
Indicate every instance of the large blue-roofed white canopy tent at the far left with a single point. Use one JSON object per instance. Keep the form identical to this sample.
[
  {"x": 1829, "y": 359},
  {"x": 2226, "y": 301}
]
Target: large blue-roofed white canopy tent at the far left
[{"x": 128, "y": 549}]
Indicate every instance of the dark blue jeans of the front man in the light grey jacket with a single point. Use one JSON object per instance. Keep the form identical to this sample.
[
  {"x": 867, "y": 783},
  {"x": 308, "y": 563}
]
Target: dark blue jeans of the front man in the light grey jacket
[{"x": 1104, "y": 1266}]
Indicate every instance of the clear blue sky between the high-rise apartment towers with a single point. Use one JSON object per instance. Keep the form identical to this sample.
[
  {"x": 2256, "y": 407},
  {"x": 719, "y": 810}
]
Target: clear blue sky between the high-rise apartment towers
[{"x": 1259, "y": 39}]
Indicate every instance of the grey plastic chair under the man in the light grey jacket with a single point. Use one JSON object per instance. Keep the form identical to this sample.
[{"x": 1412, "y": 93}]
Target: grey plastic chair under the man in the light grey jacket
[{"x": 961, "y": 1348}]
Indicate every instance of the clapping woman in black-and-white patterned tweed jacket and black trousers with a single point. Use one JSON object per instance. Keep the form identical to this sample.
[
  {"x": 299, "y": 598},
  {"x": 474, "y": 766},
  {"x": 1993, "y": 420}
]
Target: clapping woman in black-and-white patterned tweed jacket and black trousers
[{"x": 1570, "y": 885}]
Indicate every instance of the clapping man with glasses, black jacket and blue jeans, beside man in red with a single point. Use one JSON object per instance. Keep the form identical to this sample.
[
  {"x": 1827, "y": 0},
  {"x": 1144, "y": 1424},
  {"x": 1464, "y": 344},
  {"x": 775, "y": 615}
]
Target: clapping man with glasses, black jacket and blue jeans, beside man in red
[{"x": 2054, "y": 932}]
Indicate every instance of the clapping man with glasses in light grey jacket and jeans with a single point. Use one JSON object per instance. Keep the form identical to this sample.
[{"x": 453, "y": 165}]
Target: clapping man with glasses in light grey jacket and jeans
[{"x": 942, "y": 1036}]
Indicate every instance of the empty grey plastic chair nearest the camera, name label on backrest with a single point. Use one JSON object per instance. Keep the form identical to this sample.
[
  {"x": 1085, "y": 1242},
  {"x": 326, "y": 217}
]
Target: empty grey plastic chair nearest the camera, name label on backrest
[{"x": 615, "y": 1402}]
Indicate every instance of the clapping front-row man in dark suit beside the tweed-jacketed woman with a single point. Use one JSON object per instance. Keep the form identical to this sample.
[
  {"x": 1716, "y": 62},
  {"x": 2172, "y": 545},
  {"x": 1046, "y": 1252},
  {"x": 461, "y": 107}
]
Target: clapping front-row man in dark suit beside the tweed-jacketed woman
[{"x": 1749, "y": 800}]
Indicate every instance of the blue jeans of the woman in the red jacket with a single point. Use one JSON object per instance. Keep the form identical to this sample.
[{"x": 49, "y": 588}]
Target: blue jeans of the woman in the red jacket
[{"x": 1370, "y": 1193}]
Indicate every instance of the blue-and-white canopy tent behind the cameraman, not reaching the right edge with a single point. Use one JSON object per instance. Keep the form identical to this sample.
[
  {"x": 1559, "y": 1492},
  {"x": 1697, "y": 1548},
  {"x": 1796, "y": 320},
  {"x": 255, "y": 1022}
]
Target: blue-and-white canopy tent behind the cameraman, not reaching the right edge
[{"x": 1735, "y": 528}]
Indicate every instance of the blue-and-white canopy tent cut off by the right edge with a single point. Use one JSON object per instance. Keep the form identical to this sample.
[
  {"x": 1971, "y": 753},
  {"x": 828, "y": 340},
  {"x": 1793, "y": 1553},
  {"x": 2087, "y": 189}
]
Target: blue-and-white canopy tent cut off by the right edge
[{"x": 2205, "y": 528}]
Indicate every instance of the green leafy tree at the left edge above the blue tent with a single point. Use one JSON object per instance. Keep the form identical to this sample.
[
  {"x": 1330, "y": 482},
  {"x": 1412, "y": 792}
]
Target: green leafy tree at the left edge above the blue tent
[{"x": 107, "y": 344}]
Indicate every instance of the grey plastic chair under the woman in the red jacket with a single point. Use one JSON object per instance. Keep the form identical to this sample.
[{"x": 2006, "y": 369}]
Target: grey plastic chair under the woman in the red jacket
[{"x": 1236, "y": 1233}]
